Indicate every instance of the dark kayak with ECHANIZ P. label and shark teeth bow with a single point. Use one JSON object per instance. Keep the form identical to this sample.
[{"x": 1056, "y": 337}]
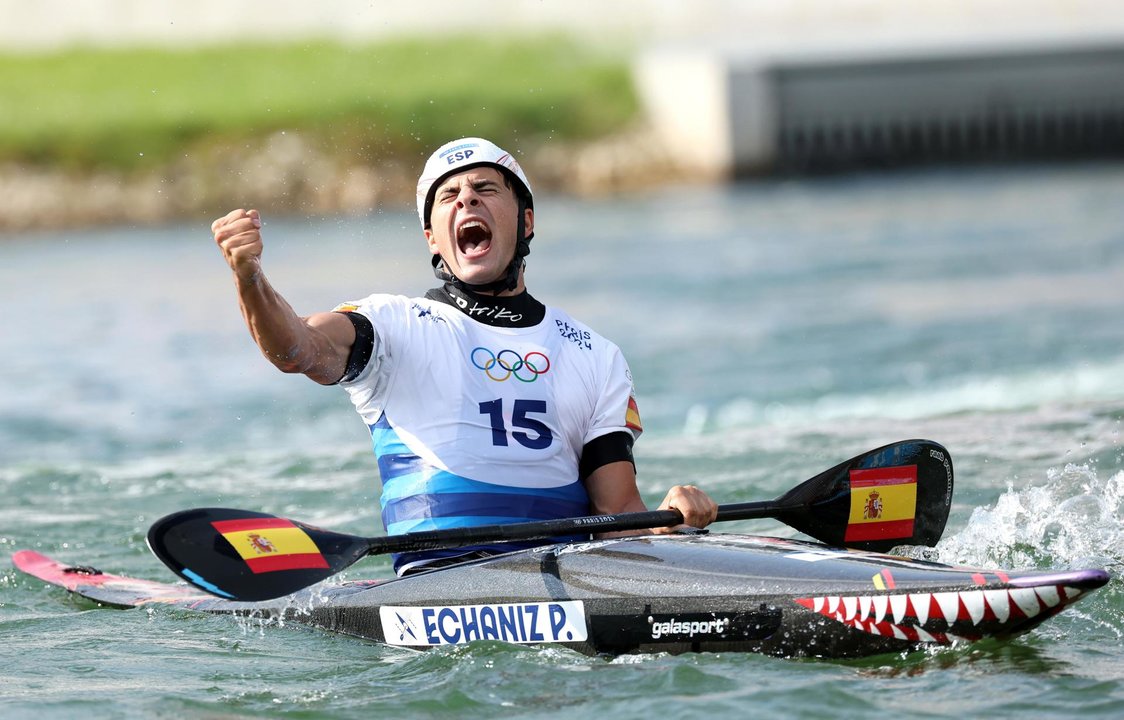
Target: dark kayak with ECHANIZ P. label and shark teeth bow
[{"x": 641, "y": 595}]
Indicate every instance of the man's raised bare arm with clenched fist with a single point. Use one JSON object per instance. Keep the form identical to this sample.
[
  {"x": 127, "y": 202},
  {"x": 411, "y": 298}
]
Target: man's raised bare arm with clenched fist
[{"x": 318, "y": 345}]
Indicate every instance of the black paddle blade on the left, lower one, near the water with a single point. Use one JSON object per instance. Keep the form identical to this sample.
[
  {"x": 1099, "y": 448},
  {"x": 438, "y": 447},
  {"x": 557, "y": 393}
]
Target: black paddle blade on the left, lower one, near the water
[{"x": 244, "y": 555}]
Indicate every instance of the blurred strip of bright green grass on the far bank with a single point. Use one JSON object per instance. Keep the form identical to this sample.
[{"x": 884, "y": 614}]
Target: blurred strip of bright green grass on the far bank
[{"x": 124, "y": 110}]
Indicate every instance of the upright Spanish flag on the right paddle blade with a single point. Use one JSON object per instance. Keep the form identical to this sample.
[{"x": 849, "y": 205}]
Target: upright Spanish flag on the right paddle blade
[{"x": 884, "y": 503}]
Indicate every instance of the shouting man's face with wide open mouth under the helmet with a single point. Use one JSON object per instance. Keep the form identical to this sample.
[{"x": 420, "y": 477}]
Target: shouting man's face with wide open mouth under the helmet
[{"x": 474, "y": 223}]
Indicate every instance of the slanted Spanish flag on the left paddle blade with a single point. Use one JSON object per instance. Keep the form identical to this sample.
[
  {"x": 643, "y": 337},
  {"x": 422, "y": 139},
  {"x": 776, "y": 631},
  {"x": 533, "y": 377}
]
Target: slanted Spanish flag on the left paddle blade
[{"x": 271, "y": 544}]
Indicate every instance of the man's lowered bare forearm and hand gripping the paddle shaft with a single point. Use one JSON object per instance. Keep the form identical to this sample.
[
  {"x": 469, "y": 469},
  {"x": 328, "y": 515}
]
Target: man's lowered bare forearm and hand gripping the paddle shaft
[{"x": 613, "y": 489}]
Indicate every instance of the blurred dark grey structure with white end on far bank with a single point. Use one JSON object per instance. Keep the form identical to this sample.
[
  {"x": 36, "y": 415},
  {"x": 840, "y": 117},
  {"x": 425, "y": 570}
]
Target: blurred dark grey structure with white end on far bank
[{"x": 890, "y": 108}]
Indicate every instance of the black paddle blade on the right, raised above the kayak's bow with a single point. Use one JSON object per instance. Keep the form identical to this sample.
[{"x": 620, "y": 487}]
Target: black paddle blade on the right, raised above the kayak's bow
[{"x": 898, "y": 495}]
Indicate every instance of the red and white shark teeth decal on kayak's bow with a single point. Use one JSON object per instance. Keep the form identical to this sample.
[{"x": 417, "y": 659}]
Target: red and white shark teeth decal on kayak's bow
[{"x": 930, "y": 617}]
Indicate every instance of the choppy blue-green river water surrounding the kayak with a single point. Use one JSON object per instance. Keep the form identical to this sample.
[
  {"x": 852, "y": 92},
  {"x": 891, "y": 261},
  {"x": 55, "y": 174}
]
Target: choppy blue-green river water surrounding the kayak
[{"x": 774, "y": 329}]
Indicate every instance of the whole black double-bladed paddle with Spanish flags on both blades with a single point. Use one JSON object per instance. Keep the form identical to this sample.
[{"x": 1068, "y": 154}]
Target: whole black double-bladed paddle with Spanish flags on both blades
[{"x": 898, "y": 495}]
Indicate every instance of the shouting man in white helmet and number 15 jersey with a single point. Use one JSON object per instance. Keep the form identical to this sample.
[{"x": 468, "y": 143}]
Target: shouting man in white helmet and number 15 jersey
[{"x": 485, "y": 406}]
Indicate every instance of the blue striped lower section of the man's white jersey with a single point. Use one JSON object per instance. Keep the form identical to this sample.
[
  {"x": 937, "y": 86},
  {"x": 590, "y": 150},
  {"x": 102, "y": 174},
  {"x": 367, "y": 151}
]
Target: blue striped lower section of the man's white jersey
[{"x": 420, "y": 497}]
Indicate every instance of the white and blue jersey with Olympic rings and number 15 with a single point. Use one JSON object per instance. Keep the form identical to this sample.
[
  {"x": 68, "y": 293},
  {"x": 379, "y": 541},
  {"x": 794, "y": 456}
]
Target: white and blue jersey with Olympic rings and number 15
[{"x": 481, "y": 425}]
